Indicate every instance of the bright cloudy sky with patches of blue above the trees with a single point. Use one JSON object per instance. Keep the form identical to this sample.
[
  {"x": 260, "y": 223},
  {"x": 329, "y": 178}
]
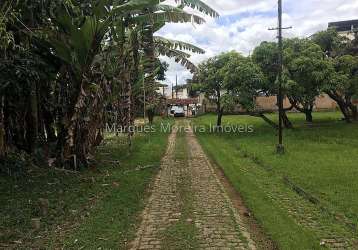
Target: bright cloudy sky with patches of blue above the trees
[{"x": 243, "y": 24}]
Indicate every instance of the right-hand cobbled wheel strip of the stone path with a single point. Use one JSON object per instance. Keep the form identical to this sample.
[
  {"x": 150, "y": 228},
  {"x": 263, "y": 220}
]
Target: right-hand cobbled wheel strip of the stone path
[{"x": 219, "y": 220}]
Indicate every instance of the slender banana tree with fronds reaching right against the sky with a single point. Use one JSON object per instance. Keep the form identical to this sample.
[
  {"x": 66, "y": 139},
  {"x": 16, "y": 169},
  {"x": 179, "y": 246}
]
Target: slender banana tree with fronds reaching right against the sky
[{"x": 155, "y": 46}]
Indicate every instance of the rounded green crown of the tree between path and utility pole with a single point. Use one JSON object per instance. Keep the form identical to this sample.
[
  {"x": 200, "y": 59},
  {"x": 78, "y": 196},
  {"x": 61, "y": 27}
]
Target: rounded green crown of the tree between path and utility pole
[{"x": 231, "y": 78}]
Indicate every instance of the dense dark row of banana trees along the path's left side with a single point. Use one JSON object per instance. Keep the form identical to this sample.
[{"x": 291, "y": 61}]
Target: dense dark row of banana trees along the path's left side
[{"x": 64, "y": 63}]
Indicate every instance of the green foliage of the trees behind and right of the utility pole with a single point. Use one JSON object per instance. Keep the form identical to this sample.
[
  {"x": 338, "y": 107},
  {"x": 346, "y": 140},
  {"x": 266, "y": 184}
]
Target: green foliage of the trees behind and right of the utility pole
[{"x": 310, "y": 69}]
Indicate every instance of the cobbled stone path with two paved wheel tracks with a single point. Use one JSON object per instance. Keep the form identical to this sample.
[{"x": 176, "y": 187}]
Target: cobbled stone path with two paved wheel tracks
[{"x": 217, "y": 222}]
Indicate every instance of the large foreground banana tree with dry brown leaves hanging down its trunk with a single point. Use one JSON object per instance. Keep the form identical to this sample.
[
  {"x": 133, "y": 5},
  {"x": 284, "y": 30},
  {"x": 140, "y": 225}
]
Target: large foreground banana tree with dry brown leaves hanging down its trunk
[{"x": 77, "y": 42}]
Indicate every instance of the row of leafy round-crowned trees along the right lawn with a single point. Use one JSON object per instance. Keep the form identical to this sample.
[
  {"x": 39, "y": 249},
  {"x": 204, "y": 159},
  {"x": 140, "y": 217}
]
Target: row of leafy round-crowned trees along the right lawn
[{"x": 325, "y": 63}]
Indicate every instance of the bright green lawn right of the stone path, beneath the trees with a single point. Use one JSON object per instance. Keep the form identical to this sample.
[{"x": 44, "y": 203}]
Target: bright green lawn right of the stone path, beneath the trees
[{"x": 318, "y": 201}]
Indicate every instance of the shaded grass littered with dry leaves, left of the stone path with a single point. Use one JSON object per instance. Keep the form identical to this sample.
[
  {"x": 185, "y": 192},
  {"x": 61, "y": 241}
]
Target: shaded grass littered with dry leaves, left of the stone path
[{"x": 96, "y": 208}]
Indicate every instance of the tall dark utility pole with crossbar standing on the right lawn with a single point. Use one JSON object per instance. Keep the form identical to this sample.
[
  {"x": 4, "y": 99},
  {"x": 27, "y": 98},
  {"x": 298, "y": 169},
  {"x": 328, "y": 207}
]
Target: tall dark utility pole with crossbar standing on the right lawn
[{"x": 280, "y": 147}]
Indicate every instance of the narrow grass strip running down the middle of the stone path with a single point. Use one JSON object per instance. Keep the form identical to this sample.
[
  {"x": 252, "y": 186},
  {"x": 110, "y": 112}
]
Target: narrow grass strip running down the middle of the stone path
[{"x": 182, "y": 234}]
